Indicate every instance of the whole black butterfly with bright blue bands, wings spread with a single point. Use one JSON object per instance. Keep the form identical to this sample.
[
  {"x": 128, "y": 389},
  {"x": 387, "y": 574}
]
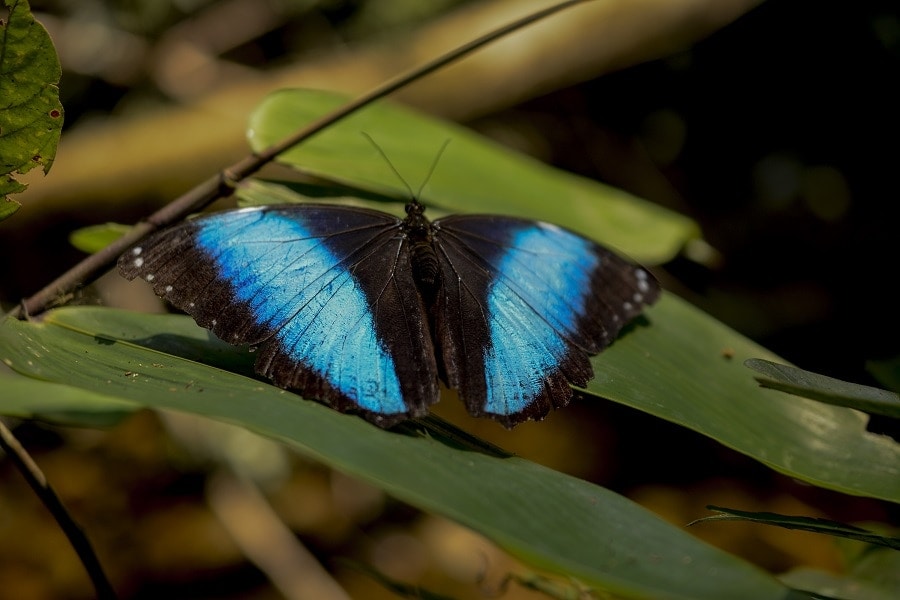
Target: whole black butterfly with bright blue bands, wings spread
[{"x": 366, "y": 311}]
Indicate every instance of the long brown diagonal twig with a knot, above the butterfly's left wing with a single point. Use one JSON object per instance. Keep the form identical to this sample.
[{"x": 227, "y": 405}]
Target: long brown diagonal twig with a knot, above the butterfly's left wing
[{"x": 221, "y": 185}]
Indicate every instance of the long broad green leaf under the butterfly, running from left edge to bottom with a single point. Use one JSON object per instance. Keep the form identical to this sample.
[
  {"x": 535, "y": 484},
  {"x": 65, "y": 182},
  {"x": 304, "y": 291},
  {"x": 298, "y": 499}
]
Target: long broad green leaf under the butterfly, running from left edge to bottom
[{"x": 549, "y": 520}]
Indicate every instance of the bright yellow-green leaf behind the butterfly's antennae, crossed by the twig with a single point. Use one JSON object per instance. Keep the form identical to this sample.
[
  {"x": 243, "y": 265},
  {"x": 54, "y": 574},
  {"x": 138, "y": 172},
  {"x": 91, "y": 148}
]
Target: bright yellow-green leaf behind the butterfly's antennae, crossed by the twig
[{"x": 474, "y": 174}]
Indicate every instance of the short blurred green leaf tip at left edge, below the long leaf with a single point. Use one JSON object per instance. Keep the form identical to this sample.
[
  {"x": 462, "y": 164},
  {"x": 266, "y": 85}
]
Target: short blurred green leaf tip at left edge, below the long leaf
[{"x": 62, "y": 404}]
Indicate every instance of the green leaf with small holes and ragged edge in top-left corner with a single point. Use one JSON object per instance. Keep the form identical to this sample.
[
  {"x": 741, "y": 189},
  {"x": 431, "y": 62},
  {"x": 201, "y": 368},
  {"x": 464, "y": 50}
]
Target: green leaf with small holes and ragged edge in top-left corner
[{"x": 31, "y": 115}]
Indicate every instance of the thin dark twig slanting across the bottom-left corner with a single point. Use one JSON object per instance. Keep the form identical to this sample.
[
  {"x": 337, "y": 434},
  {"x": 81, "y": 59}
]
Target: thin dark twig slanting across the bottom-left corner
[{"x": 38, "y": 482}]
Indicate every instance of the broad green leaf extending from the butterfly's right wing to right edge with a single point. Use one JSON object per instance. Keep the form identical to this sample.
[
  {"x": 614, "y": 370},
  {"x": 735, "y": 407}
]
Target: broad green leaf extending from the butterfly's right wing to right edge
[{"x": 687, "y": 368}]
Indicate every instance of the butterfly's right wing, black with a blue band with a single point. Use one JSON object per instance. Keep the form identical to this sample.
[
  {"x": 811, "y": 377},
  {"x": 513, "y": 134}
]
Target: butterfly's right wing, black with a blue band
[{"x": 522, "y": 306}]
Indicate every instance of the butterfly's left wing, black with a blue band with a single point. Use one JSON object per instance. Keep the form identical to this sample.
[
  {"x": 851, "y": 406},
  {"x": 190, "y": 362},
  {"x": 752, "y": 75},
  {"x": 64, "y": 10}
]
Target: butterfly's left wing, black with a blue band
[{"x": 326, "y": 293}]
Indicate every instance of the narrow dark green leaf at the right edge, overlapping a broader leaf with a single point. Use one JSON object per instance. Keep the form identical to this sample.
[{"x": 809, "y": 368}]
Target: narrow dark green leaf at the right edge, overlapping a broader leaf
[{"x": 825, "y": 389}]
